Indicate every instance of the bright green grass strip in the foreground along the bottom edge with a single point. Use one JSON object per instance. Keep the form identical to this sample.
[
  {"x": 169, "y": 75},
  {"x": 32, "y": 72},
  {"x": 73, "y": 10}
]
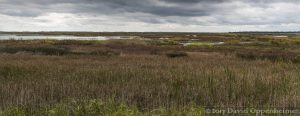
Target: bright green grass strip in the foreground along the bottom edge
[{"x": 96, "y": 108}]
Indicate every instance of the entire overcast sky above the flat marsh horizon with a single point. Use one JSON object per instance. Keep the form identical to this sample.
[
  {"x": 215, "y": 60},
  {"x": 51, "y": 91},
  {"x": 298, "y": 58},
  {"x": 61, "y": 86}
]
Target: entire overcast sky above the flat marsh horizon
[{"x": 150, "y": 15}]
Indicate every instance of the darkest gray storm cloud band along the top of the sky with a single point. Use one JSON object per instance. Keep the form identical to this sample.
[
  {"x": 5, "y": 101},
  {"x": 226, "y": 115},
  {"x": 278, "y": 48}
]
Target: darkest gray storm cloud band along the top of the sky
[{"x": 155, "y": 7}]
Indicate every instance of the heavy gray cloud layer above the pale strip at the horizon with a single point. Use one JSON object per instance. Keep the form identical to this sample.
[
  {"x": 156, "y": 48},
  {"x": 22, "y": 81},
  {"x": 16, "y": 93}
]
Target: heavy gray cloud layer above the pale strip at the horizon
[{"x": 154, "y": 12}]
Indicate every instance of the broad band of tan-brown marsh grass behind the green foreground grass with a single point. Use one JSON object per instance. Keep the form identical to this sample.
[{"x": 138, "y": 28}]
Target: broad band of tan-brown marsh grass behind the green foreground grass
[{"x": 147, "y": 82}]
